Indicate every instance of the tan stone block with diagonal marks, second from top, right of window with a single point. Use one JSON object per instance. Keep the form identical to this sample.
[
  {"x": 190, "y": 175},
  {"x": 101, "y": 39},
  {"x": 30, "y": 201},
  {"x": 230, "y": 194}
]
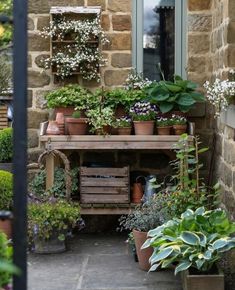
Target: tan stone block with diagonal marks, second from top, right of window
[{"x": 199, "y": 22}]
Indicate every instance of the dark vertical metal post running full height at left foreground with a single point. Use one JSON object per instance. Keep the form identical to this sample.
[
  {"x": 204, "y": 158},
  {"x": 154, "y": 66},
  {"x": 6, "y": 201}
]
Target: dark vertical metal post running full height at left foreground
[{"x": 20, "y": 141}]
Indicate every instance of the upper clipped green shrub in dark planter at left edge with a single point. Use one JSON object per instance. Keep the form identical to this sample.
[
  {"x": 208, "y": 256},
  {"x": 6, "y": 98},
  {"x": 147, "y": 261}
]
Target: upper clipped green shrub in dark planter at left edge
[{"x": 6, "y": 149}]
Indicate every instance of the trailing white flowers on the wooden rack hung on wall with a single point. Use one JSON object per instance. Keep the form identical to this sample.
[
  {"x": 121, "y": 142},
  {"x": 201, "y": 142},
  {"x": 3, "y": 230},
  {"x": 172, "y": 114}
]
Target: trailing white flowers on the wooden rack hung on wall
[{"x": 84, "y": 55}]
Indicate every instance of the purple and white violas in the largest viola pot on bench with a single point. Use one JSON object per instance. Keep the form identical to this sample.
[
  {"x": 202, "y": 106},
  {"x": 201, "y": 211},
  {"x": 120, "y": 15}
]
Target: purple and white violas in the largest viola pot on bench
[{"x": 143, "y": 111}]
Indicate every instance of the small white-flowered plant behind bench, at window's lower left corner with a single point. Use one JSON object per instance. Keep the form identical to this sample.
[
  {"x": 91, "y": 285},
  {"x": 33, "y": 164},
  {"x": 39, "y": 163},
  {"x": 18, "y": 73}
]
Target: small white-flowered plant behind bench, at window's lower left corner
[{"x": 136, "y": 81}]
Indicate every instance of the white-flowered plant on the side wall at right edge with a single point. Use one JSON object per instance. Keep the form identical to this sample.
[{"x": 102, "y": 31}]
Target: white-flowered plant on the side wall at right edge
[{"x": 219, "y": 94}]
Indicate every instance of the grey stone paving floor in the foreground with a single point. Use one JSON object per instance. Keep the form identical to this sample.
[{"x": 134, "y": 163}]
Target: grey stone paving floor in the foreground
[{"x": 95, "y": 262}]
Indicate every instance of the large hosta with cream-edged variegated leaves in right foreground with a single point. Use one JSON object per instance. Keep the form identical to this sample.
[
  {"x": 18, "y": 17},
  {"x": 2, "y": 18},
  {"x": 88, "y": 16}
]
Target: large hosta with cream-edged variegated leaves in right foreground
[{"x": 197, "y": 239}]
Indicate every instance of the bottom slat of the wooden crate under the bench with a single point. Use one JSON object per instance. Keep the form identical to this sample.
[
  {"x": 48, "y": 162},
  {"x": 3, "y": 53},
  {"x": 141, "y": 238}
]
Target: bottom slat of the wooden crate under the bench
[{"x": 90, "y": 198}]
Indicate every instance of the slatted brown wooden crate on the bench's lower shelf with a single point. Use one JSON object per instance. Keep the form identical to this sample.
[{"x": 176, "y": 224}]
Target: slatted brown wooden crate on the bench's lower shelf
[{"x": 104, "y": 185}]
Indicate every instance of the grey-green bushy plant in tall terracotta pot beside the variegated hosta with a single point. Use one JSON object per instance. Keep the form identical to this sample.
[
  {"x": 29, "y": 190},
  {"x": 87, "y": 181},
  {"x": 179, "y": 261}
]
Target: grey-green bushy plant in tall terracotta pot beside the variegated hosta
[{"x": 141, "y": 220}]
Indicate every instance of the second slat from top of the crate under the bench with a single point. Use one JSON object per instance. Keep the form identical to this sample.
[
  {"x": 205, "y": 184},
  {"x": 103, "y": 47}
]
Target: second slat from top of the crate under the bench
[{"x": 118, "y": 182}]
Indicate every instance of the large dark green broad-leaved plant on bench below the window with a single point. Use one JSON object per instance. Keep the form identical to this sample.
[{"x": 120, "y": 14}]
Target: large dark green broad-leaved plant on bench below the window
[{"x": 177, "y": 95}]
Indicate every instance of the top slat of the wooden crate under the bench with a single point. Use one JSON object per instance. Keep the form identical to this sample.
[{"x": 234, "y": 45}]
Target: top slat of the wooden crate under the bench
[{"x": 88, "y": 171}]
